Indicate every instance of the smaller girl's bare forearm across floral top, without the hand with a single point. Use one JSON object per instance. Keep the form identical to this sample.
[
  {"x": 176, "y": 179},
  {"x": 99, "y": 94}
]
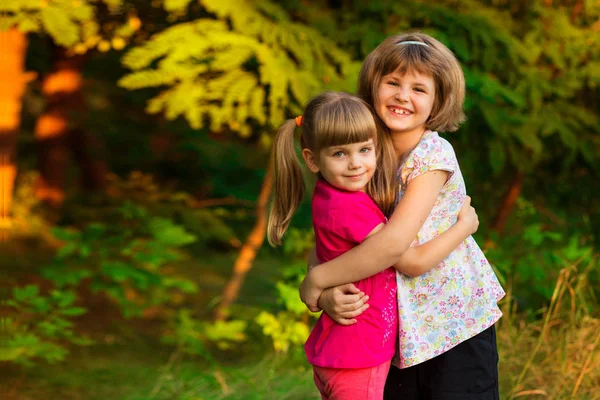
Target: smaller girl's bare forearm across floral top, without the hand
[{"x": 418, "y": 260}]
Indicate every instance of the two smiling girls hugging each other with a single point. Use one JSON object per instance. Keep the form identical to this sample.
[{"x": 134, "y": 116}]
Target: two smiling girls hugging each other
[{"x": 409, "y": 299}]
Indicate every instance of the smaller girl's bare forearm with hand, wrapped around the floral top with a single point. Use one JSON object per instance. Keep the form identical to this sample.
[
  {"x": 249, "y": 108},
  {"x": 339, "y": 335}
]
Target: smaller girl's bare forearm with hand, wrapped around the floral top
[{"x": 418, "y": 260}]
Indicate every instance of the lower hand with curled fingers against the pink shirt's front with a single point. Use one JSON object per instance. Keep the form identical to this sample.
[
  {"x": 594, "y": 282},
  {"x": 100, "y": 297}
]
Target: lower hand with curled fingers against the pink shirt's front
[{"x": 344, "y": 303}]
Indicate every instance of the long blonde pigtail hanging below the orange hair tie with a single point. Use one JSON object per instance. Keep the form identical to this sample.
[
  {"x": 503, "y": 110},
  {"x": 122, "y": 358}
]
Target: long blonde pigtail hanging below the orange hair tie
[{"x": 288, "y": 186}]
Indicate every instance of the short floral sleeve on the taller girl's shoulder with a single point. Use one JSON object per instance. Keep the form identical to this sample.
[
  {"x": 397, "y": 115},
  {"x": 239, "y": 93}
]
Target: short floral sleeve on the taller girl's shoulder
[{"x": 432, "y": 153}]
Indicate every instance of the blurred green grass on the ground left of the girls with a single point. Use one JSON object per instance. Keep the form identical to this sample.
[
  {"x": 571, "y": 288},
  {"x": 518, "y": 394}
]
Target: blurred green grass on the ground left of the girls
[{"x": 137, "y": 372}]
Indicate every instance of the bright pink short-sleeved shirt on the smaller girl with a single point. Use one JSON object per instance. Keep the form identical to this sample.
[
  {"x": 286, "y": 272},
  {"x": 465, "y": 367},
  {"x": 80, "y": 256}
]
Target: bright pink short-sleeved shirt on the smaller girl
[{"x": 342, "y": 220}]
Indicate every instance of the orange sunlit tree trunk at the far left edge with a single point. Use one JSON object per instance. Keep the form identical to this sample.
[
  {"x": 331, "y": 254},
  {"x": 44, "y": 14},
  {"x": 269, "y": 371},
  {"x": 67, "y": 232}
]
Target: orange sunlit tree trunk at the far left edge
[{"x": 13, "y": 81}]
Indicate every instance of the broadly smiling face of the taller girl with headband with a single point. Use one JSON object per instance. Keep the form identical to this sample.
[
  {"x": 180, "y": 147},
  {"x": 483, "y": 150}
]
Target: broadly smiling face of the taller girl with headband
[{"x": 404, "y": 101}]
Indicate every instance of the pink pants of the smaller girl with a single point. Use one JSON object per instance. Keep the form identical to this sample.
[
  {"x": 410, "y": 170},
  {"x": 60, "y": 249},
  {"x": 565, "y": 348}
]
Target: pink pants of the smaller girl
[{"x": 351, "y": 384}]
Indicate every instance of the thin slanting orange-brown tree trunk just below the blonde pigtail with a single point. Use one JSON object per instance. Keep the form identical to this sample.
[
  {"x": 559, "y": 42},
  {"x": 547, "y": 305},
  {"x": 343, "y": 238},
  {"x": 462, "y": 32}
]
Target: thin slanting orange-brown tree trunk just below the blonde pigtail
[{"x": 243, "y": 264}]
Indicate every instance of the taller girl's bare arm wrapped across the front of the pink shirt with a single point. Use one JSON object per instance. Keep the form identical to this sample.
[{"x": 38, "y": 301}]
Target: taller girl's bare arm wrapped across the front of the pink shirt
[{"x": 382, "y": 249}]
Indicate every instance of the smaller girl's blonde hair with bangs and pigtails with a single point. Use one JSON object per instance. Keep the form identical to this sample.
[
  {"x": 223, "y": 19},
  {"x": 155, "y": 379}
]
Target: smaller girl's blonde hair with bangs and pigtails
[{"x": 330, "y": 119}]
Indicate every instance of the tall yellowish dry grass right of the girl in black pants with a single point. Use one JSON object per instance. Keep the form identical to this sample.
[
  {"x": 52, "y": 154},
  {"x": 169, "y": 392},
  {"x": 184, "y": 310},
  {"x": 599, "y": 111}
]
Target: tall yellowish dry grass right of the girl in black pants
[{"x": 557, "y": 356}]
